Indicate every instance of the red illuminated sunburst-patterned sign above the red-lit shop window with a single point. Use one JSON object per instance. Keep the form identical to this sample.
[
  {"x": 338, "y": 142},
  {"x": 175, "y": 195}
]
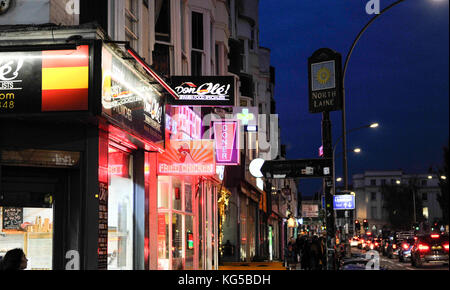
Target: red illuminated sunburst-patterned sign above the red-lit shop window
[{"x": 187, "y": 157}]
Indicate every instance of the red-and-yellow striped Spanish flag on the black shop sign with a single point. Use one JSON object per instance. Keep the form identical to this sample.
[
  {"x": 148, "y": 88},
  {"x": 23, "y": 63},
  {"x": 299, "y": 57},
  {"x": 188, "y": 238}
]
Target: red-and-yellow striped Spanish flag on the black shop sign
[{"x": 65, "y": 79}]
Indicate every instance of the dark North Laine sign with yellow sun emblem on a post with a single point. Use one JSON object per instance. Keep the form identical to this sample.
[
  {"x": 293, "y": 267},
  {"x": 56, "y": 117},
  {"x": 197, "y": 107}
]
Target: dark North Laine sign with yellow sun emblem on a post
[{"x": 325, "y": 81}]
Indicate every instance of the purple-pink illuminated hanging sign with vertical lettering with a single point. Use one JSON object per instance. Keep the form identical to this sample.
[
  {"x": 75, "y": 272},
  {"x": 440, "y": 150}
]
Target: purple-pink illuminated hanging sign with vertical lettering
[{"x": 226, "y": 138}]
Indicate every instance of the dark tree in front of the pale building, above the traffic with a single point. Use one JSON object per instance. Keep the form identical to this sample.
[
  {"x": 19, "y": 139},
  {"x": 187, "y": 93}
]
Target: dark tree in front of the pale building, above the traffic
[{"x": 398, "y": 201}]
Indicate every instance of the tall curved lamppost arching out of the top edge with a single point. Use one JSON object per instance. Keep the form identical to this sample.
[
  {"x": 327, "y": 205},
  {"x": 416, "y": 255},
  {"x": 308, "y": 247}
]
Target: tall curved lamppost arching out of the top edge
[{"x": 344, "y": 126}]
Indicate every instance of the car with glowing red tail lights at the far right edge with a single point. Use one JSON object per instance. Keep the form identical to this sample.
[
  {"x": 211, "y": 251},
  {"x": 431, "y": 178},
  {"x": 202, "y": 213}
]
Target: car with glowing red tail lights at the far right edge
[{"x": 430, "y": 249}]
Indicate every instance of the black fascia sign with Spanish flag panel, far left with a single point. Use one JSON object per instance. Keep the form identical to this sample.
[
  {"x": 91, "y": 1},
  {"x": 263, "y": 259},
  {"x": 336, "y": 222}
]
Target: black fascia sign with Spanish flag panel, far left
[{"x": 44, "y": 81}]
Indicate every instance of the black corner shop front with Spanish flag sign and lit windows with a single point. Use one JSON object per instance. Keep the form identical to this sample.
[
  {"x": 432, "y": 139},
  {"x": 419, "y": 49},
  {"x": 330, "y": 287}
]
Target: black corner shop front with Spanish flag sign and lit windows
[{"x": 81, "y": 127}]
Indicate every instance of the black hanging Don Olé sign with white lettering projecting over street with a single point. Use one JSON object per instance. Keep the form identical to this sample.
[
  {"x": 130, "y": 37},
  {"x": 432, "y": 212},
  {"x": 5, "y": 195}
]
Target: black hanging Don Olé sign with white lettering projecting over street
[{"x": 204, "y": 90}]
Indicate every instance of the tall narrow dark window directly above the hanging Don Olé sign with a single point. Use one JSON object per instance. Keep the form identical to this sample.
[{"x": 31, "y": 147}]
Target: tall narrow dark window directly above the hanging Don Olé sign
[{"x": 197, "y": 44}]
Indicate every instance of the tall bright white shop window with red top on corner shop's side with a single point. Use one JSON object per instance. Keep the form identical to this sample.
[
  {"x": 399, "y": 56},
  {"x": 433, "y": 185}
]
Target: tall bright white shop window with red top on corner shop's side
[{"x": 120, "y": 210}]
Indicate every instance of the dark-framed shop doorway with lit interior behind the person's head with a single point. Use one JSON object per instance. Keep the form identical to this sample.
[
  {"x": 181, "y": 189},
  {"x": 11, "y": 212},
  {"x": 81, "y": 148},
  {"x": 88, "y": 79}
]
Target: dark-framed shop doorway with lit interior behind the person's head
[{"x": 31, "y": 214}]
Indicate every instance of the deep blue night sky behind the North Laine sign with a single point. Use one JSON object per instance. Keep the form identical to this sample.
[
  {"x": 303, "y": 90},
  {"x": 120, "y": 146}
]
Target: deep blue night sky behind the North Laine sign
[{"x": 398, "y": 76}]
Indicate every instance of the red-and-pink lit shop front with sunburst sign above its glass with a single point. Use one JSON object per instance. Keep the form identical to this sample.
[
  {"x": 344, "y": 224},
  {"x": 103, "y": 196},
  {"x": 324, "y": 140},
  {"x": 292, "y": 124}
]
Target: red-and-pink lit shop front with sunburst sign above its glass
[{"x": 187, "y": 196}]
